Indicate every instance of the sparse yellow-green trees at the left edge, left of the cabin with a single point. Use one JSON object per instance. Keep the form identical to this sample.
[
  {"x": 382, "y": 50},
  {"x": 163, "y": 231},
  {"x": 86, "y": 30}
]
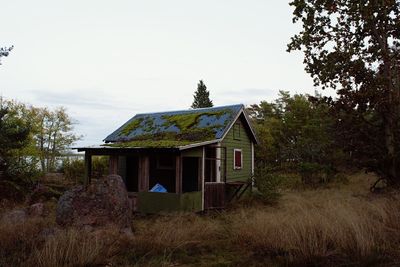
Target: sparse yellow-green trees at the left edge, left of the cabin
[{"x": 50, "y": 135}]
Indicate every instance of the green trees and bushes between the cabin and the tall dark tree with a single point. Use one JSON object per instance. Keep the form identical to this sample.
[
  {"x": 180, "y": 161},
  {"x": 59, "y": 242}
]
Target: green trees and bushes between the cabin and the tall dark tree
[{"x": 296, "y": 134}]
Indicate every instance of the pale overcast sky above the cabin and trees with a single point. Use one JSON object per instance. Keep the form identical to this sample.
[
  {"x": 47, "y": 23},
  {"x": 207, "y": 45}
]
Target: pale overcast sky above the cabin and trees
[{"x": 105, "y": 61}]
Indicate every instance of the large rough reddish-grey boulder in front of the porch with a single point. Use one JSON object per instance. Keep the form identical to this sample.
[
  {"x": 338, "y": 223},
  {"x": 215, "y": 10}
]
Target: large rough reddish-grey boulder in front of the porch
[{"x": 103, "y": 202}]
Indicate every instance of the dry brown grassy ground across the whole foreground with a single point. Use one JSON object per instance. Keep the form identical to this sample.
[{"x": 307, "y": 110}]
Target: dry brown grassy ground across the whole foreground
[{"x": 343, "y": 225}]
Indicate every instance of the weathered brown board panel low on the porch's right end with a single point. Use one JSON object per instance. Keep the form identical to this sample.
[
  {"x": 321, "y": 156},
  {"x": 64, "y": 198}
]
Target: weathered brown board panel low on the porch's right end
[{"x": 214, "y": 195}]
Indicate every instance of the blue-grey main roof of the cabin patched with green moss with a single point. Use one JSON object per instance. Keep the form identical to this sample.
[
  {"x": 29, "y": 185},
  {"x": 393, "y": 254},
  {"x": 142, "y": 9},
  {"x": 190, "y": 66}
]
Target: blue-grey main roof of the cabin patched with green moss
[{"x": 174, "y": 128}]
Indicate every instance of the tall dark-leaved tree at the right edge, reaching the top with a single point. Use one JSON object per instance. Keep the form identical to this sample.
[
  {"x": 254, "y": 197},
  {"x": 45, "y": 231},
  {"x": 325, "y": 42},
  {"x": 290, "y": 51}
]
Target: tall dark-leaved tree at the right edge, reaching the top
[{"x": 353, "y": 46}]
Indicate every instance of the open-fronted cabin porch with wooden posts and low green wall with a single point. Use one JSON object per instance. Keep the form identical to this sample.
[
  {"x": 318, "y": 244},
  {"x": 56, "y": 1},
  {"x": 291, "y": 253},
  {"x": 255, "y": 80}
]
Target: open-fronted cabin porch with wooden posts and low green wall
[{"x": 194, "y": 179}]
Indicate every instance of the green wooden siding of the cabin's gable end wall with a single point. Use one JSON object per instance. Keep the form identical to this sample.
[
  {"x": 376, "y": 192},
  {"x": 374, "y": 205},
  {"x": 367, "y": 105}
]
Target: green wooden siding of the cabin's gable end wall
[{"x": 245, "y": 145}]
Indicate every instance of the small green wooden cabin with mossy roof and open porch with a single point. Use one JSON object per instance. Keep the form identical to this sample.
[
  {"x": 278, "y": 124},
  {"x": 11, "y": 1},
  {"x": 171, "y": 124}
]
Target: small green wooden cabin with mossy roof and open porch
[{"x": 204, "y": 158}]
